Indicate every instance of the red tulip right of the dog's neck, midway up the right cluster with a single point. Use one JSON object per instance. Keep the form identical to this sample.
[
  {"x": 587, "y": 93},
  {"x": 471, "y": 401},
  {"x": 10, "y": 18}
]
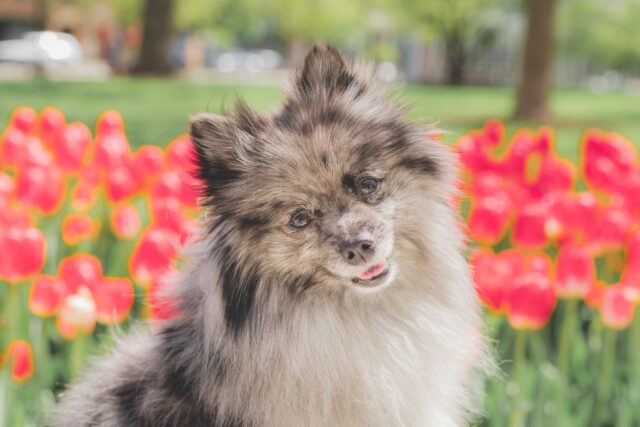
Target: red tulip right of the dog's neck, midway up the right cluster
[{"x": 489, "y": 217}]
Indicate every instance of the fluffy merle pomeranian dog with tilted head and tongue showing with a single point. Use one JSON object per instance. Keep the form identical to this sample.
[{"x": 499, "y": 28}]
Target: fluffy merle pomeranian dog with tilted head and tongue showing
[{"x": 328, "y": 286}]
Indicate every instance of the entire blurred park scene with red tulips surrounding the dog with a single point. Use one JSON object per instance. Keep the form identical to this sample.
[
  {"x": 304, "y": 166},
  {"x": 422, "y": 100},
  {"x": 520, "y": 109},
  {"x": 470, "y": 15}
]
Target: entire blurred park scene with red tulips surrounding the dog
[{"x": 540, "y": 98}]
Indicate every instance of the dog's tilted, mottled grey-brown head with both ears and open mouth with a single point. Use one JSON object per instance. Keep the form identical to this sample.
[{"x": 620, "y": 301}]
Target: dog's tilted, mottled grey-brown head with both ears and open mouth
[{"x": 317, "y": 195}]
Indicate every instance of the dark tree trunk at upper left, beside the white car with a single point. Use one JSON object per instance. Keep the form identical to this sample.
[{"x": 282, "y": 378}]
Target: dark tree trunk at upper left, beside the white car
[{"x": 156, "y": 39}]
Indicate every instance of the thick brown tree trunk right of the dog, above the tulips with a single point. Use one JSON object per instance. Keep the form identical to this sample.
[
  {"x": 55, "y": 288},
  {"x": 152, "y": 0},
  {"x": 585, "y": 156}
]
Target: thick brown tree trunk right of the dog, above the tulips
[{"x": 535, "y": 77}]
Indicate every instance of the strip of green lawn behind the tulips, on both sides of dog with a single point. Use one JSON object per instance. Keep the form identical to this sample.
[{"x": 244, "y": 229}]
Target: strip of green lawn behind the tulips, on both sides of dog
[{"x": 157, "y": 110}]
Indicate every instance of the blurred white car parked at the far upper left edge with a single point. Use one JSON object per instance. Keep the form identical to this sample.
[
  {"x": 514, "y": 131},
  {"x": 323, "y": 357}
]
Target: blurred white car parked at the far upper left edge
[{"x": 40, "y": 48}]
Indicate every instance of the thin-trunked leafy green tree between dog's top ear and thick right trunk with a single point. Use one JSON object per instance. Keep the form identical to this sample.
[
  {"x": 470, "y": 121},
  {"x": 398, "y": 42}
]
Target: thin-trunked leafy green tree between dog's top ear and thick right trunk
[{"x": 455, "y": 22}]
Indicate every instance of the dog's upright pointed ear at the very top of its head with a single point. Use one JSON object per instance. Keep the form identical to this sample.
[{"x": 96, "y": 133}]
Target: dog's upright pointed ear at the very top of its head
[{"x": 325, "y": 74}]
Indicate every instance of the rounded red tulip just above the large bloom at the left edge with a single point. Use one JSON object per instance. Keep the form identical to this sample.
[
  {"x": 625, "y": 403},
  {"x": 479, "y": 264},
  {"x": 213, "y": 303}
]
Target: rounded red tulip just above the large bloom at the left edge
[{"x": 41, "y": 188}]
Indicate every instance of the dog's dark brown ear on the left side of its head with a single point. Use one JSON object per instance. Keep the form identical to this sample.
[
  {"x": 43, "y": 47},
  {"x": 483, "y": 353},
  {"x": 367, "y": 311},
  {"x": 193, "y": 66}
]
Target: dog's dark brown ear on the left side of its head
[{"x": 223, "y": 145}]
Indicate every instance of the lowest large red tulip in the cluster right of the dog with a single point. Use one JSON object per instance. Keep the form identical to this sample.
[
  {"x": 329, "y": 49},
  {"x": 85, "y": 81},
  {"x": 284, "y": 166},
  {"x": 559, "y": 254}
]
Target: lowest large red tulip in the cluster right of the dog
[{"x": 531, "y": 301}]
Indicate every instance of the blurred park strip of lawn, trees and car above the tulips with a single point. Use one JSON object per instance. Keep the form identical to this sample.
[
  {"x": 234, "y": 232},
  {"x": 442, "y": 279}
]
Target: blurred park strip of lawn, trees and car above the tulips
[{"x": 463, "y": 60}]
